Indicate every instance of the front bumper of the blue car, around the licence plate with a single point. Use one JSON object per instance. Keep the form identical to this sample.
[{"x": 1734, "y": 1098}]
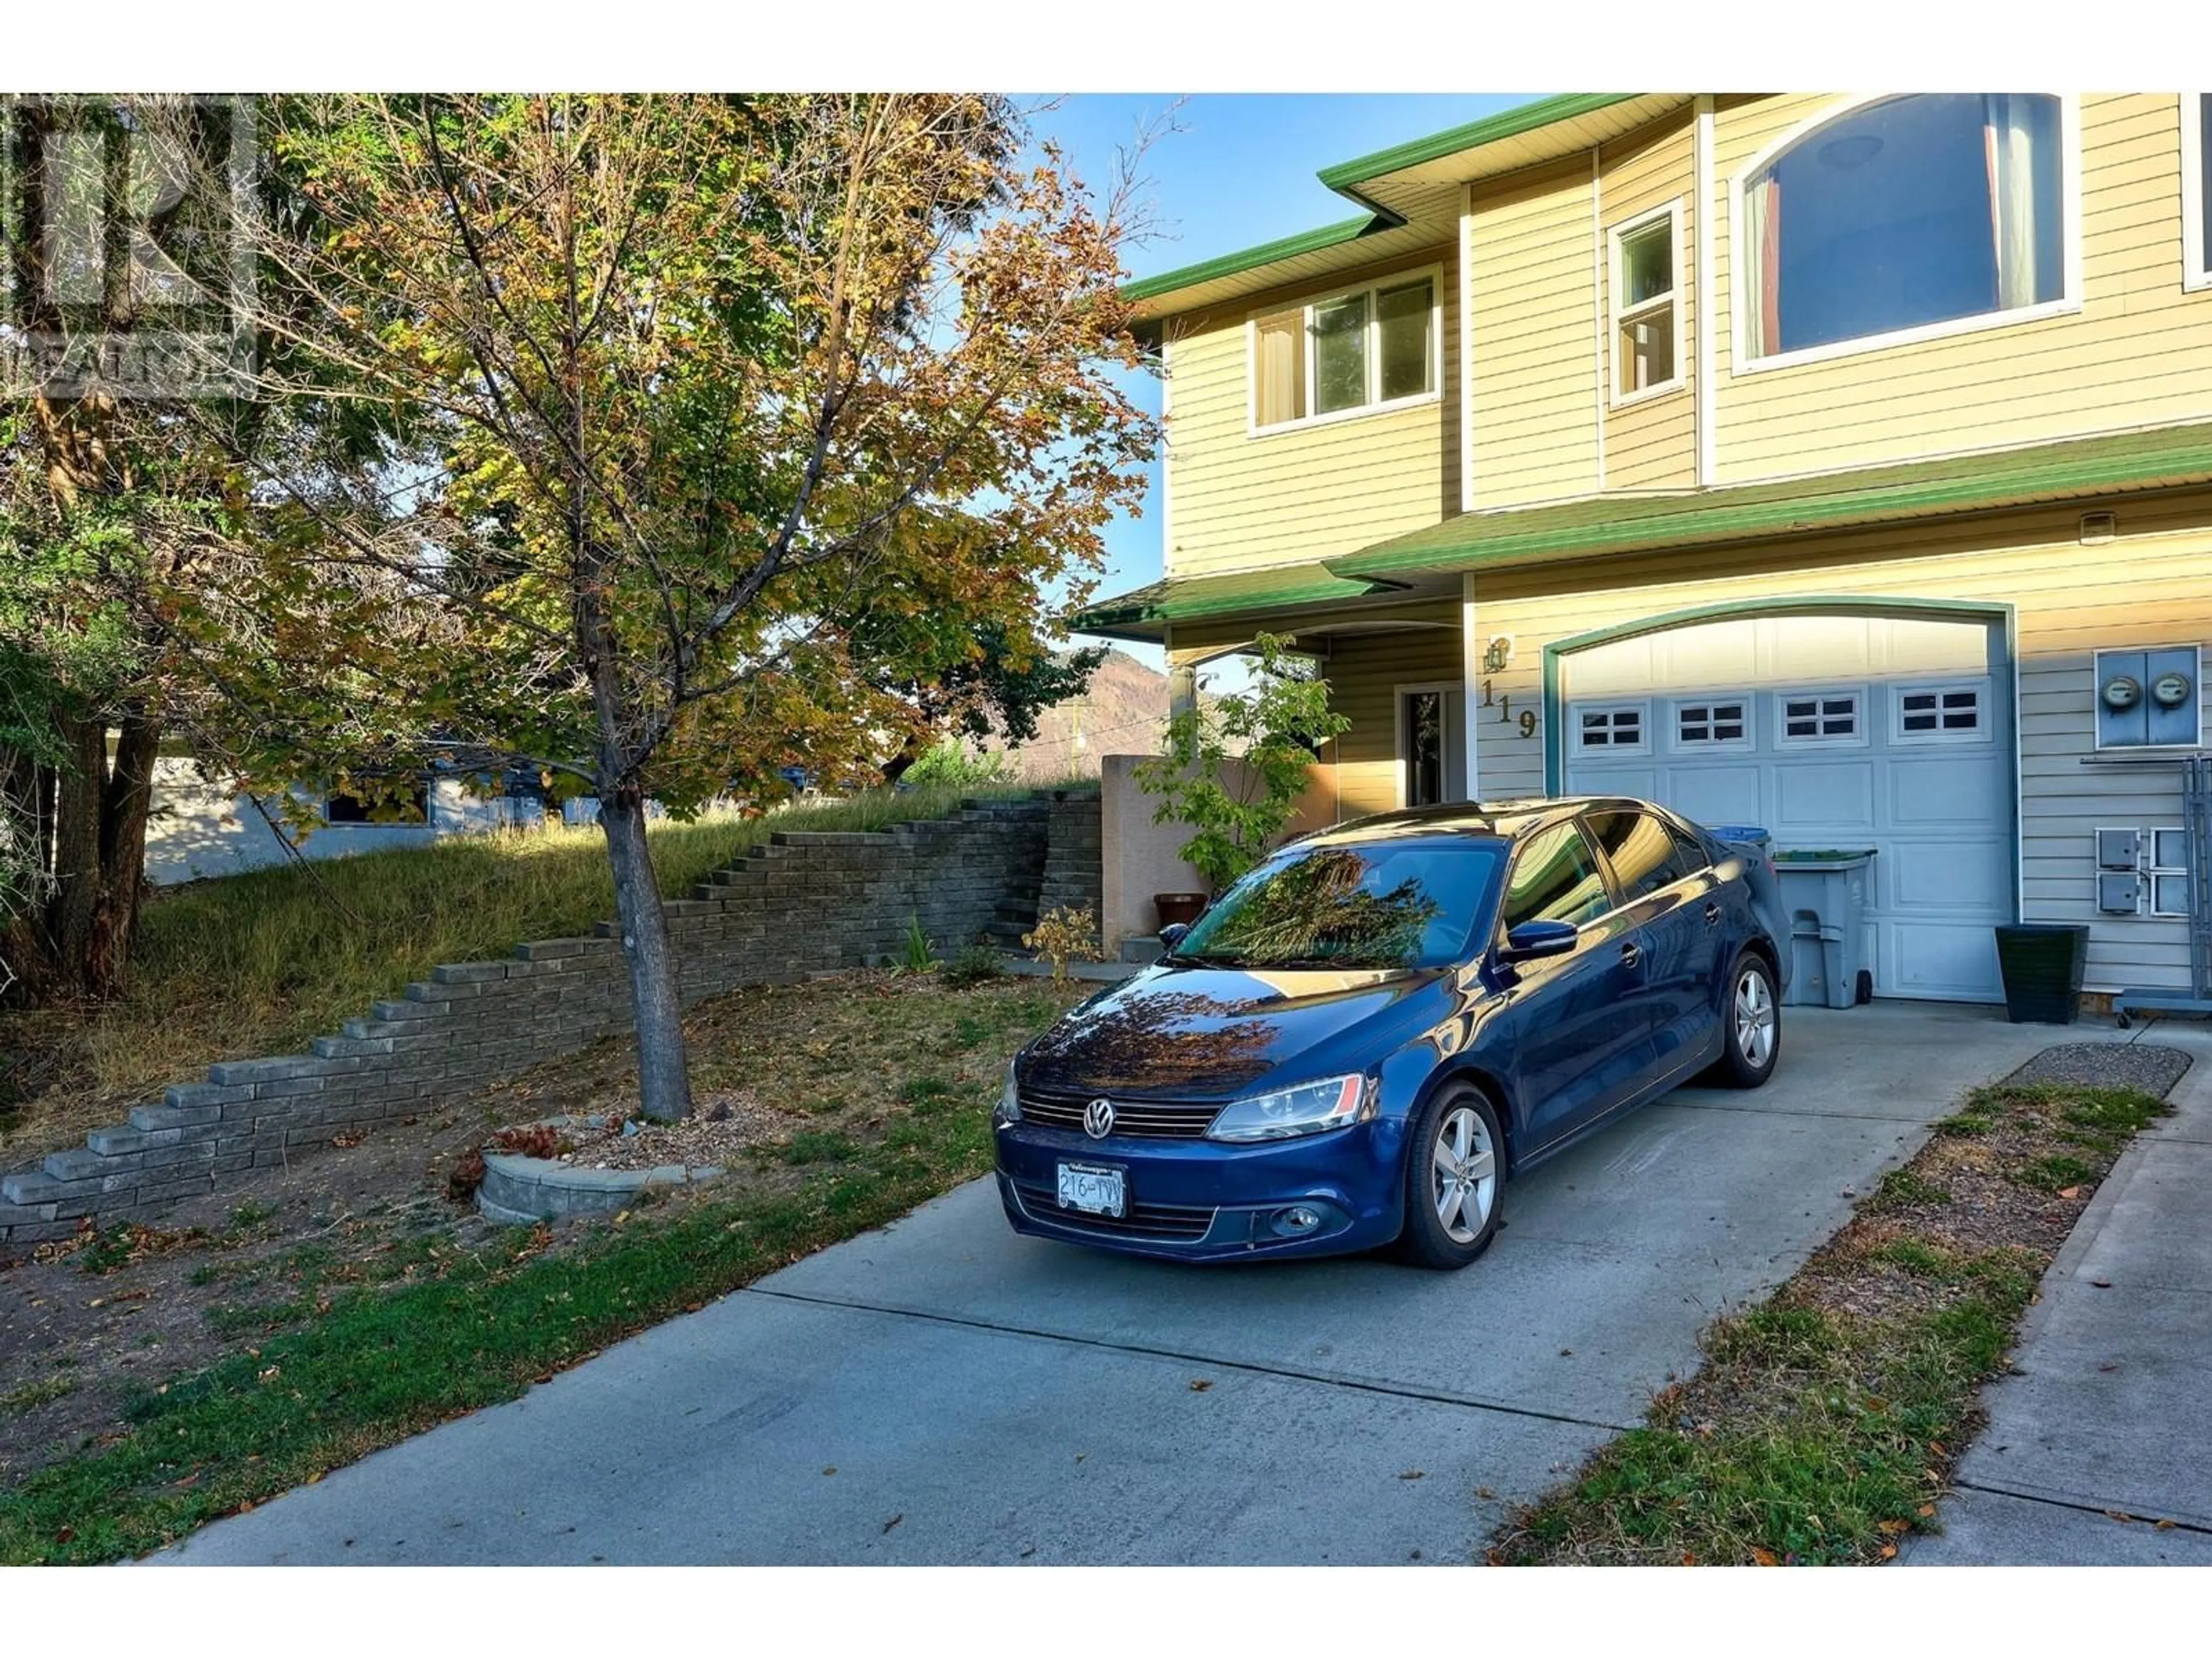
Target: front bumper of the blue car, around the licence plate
[{"x": 1209, "y": 1200}]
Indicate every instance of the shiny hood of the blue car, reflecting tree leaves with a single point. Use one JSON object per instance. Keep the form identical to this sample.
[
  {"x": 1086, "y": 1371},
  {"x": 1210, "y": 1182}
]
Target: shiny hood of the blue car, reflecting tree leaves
[{"x": 1209, "y": 1032}]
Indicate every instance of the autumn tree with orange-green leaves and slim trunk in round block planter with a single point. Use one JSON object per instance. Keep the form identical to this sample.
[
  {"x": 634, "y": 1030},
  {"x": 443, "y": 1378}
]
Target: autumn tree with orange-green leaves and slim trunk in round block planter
[{"x": 716, "y": 426}]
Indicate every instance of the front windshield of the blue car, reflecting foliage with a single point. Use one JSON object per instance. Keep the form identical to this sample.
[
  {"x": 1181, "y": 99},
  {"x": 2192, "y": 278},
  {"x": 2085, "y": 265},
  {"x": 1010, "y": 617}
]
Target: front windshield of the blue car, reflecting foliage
[{"x": 1370, "y": 906}]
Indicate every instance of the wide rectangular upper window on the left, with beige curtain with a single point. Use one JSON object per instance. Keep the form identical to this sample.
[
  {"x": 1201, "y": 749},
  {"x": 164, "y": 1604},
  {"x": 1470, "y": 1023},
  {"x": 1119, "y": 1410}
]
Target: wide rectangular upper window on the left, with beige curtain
[{"x": 1348, "y": 353}]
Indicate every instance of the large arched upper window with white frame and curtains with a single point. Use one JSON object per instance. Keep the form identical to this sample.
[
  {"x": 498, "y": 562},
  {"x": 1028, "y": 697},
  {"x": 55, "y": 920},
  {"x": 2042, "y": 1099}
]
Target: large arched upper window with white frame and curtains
[{"x": 1906, "y": 213}]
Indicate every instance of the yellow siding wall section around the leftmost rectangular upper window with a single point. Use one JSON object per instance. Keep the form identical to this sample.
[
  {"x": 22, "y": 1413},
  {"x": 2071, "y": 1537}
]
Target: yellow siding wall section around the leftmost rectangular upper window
[{"x": 1240, "y": 501}]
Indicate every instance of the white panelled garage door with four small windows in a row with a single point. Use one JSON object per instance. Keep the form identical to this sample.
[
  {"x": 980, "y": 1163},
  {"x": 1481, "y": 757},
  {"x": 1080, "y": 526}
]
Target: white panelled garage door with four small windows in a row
[{"x": 1835, "y": 731}]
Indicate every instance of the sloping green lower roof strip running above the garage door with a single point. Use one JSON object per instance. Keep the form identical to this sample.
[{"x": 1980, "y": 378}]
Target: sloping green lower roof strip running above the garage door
[{"x": 1603, "y": 525}]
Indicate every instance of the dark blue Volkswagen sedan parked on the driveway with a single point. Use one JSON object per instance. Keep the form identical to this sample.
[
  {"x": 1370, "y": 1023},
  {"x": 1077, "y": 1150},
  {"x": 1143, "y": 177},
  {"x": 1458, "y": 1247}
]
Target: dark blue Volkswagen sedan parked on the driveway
[{"x": 1359, "y": 1043}]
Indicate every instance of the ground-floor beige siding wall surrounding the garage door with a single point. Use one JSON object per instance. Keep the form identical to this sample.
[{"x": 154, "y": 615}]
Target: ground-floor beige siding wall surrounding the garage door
[{"x": 2145, "y": 589}]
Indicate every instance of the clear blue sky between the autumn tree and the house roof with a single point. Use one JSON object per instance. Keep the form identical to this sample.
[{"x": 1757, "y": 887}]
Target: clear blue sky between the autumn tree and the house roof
[{"x": 1240, "y": 169}]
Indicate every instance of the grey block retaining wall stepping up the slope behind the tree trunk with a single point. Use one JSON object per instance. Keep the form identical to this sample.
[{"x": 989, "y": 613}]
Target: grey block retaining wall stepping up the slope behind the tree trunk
[{"x": 804, "y": 904}]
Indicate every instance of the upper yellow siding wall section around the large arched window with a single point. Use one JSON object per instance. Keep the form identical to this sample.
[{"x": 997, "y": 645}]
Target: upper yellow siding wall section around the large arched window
[{"x": 2138, "y": 353}]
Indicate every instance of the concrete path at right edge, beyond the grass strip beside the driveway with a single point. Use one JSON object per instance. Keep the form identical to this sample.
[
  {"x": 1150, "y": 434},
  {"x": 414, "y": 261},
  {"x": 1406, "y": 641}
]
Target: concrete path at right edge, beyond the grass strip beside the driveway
[{"x": 2107, "y": 1423}]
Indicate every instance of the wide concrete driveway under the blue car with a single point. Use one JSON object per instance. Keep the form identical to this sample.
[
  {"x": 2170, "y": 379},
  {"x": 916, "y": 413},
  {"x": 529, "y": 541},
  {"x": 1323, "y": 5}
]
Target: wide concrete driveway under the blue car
[{"x": 946, "y": 1392}]
